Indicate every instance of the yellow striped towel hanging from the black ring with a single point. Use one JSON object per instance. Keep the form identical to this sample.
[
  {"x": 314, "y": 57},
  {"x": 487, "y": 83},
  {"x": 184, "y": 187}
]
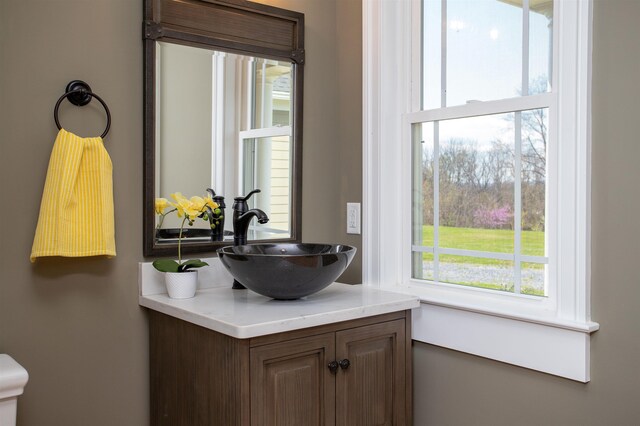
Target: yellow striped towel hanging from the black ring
[{"x": 76, "y": 212}]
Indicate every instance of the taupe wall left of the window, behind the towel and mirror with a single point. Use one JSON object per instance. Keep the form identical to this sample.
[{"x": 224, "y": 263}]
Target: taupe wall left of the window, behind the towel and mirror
[{"x": 75, "y": 324}]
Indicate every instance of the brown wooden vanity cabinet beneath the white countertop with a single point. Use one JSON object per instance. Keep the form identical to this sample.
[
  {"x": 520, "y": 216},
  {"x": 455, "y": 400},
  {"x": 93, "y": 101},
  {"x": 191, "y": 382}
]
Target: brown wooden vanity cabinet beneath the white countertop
[{"x": 350, "y": 373}]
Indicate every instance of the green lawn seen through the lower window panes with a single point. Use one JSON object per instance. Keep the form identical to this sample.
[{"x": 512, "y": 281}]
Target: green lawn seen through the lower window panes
[{"x": 492, "y": 240}]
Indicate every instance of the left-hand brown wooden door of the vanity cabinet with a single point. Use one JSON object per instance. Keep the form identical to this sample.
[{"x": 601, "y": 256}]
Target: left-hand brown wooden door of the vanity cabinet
[{"x": 291, "y": 384}]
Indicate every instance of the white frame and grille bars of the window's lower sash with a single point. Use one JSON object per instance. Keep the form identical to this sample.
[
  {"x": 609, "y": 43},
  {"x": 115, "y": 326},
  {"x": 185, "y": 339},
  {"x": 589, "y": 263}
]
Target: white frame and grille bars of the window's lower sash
[{"x": 409, "y": 248}]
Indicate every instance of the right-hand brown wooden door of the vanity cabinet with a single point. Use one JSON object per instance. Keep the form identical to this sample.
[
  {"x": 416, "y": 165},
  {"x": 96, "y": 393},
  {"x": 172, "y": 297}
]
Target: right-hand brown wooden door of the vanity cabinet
[{"x": 371, "y": 390}]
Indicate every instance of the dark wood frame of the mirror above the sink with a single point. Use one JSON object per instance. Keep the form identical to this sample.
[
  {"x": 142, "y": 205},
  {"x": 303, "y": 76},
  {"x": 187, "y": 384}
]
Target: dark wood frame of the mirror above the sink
[{"x": 235, "y": 26}]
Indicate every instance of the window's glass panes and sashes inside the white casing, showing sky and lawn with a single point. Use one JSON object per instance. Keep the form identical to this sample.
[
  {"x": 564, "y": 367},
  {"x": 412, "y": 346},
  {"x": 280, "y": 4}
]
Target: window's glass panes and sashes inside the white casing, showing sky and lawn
[{"x": 479, "y": 173}]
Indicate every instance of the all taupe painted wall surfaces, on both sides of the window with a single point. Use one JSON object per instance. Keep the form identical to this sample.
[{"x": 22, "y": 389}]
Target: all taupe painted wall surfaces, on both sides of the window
[{"x": 76, "y": 325}]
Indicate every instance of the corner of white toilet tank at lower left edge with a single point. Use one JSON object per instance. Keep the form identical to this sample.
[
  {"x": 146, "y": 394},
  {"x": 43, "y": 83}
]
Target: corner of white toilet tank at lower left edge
[{"x": 13, "y": 377}]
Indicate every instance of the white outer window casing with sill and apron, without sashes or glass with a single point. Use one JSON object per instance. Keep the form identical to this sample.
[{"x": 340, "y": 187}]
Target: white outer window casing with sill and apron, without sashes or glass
[{"x": 547, "y": 334}]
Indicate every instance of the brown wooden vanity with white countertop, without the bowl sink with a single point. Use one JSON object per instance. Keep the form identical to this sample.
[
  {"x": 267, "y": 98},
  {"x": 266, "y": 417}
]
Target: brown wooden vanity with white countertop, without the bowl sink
[{"x": 232, "y": 357}]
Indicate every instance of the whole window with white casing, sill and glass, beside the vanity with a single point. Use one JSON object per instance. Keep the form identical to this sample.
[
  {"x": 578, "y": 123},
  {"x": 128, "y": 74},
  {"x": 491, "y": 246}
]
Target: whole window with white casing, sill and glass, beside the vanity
[{"x": 486, "y": 134}]
